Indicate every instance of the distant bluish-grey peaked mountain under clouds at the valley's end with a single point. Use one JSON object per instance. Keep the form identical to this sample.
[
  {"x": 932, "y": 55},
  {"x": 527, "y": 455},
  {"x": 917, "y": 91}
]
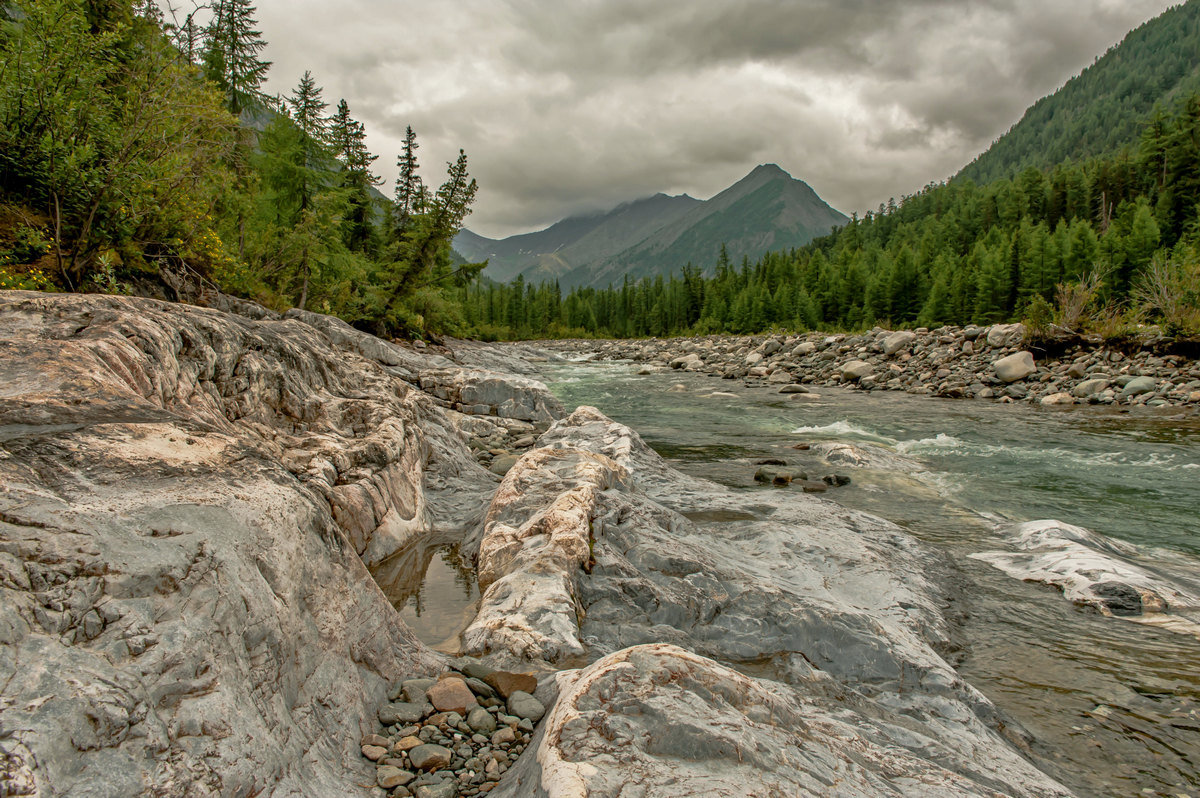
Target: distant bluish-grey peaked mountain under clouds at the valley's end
[{"x": 766, "y": 211}]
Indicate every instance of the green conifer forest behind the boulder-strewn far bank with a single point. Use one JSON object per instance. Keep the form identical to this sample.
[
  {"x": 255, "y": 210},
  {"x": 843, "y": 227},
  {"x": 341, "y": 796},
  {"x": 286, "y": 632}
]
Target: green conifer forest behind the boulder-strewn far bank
[{"x": 1126, "y": 227}]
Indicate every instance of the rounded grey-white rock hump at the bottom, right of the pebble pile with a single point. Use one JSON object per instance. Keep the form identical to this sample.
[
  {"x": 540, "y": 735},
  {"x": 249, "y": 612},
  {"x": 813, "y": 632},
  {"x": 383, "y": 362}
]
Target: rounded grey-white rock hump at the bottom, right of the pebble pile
[{"x": 681, "y": 725}]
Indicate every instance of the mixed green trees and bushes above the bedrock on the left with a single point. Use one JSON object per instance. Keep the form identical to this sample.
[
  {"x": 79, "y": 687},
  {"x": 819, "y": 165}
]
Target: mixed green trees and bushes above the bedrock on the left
[{"x": 139, "y": 149}]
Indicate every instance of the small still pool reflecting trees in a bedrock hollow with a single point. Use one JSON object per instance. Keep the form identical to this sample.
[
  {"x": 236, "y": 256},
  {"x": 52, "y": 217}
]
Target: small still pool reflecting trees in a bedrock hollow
[{"x": 434, "y": 592}]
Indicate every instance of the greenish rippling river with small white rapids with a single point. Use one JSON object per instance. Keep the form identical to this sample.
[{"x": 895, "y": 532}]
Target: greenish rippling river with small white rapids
[{"x": 1112, "y": 707}]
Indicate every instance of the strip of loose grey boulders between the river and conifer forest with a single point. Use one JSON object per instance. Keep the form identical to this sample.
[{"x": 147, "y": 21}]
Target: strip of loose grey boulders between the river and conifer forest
[{"x": 997, "y": 363}]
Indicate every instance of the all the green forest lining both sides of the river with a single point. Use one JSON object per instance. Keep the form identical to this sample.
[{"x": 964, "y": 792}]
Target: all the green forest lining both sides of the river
[{"x": 140, "y": 154}]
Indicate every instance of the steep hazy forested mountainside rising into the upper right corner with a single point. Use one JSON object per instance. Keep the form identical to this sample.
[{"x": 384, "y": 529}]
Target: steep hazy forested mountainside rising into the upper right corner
[{"x": 1103, "y": 110}]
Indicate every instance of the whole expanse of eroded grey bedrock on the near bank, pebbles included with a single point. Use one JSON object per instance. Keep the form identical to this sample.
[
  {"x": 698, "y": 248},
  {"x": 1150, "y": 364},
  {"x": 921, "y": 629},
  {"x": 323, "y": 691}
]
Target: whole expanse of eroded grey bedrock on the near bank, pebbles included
[{"x": 193, "y": 503}]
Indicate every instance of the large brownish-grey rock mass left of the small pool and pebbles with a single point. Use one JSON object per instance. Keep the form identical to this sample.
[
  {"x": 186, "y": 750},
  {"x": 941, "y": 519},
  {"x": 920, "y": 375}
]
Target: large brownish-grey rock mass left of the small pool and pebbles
[{"x": 189, "y": 500}]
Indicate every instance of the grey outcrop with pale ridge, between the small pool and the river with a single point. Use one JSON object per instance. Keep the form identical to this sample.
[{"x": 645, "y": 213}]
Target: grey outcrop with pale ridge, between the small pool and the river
[{"x": 833, "y": 619}]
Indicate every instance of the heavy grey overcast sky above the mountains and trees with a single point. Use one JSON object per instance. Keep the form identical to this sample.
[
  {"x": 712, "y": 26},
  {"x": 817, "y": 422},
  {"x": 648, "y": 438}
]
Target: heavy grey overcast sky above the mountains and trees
[{"x": 566, "y": 106}]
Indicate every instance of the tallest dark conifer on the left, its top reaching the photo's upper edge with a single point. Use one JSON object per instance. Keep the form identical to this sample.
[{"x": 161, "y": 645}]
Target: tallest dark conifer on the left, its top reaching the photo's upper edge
[{"x": 231, "y": 55}]
